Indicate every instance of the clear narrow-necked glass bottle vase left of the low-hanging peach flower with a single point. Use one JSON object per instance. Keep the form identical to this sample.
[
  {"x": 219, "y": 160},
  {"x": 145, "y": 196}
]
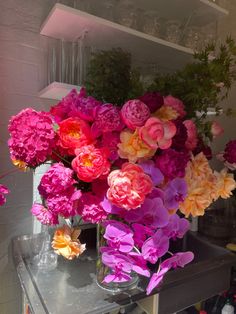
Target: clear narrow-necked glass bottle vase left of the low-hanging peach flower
[{"x": 46, "y": 259}]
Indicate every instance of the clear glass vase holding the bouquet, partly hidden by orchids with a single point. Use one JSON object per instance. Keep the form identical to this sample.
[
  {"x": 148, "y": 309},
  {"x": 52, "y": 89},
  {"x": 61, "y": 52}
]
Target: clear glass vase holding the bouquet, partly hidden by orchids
[{"x": 102, "y": 270}]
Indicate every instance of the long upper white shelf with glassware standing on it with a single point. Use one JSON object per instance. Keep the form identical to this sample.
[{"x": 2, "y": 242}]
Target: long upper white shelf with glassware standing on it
[{"x": 66, "y": 23}]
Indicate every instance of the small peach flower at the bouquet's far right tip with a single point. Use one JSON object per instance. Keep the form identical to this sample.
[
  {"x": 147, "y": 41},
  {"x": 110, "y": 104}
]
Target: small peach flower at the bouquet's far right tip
[{"x": 225, "y": 183}]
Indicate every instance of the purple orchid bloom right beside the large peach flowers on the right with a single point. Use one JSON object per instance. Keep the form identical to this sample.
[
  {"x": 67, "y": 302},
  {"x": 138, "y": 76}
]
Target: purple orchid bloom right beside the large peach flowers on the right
[{"x": 175, "y": 193}]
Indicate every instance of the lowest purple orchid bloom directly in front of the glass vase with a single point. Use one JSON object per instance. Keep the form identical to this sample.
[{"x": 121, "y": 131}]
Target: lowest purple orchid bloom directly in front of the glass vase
[{"x": 120, "y": 264}]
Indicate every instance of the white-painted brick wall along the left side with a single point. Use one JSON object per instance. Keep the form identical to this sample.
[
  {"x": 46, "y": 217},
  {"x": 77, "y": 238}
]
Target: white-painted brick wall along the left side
[{"x": 23, "y": 57}]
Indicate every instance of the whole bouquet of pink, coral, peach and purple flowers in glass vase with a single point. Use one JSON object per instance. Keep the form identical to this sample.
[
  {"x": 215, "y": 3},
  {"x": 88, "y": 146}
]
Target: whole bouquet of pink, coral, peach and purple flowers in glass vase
[{"x": 131, "y": 170}]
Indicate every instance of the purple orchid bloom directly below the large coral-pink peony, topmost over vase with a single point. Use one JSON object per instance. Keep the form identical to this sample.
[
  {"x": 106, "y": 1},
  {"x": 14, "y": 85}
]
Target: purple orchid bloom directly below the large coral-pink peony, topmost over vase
[{"x": 119, "y": 236}]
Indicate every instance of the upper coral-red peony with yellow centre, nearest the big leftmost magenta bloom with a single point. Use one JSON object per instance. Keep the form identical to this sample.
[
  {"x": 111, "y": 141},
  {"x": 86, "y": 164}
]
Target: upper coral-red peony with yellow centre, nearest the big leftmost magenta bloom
[{"x": 74, "y": 133}]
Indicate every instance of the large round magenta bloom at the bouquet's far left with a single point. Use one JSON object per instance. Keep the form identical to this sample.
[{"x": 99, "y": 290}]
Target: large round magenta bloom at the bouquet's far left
[{"x": 32, "y": 137}]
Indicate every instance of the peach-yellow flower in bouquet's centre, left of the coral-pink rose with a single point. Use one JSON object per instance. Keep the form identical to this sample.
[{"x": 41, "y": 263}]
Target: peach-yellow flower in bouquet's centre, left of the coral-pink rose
[{"x": 132, "y": 147}]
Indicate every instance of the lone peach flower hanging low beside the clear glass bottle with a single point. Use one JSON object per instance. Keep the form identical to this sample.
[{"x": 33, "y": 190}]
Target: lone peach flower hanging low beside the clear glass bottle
[{"x": 65, "y": 242}]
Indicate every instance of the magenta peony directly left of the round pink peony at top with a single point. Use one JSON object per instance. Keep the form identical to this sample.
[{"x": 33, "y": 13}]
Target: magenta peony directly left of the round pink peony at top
[{"x": 107, "y": 119}]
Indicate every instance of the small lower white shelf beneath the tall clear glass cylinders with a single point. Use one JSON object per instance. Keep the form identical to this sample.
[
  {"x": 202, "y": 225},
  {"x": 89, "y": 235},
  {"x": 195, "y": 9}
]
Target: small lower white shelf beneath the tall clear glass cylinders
[{"x": 57, "y": 90}]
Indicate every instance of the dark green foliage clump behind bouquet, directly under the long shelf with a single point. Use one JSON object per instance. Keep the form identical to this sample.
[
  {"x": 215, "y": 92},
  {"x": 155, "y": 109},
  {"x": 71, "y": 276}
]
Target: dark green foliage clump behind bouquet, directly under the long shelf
[{"x": 110, "y": 78}]
